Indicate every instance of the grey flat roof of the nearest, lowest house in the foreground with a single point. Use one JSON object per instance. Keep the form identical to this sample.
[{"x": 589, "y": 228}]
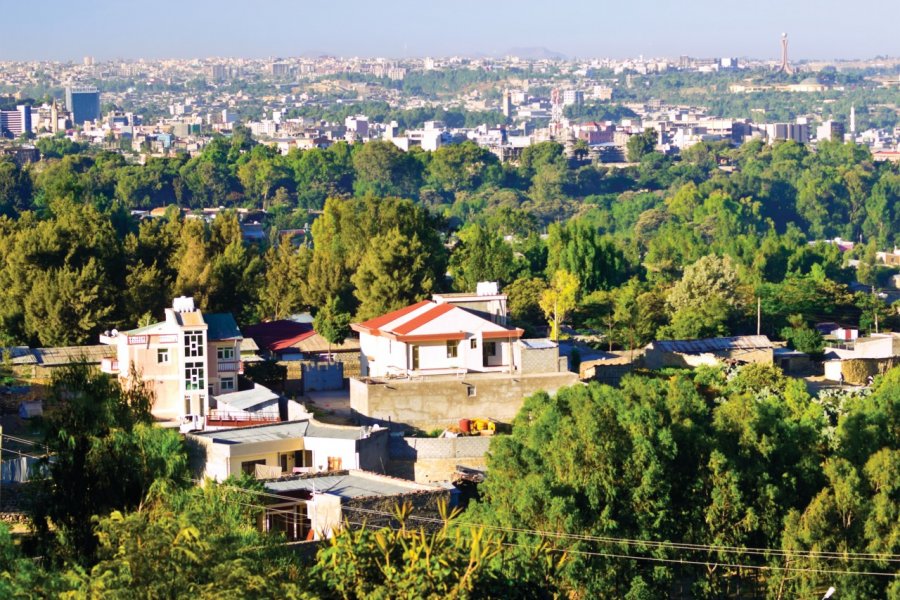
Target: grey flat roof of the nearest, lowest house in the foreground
[{"x": 353, "y": 484}]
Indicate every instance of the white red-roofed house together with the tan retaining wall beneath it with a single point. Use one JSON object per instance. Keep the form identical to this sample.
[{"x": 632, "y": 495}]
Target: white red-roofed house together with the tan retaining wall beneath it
[{"x": 452, "y": 357}]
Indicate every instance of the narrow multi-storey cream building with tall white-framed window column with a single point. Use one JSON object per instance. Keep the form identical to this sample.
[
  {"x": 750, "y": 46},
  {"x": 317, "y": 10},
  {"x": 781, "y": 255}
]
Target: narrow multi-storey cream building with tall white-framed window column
[{"x": 186, "y": 359}]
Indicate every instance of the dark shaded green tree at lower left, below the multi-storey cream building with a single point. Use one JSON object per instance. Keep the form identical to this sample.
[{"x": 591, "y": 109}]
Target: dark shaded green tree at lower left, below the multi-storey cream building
[{"x": 107, "y": 454}]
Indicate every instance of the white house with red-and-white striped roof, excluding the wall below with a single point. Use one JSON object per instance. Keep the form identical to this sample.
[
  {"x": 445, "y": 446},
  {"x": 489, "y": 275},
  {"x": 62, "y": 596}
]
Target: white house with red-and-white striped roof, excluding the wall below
[{"x": 437, "y": 337}]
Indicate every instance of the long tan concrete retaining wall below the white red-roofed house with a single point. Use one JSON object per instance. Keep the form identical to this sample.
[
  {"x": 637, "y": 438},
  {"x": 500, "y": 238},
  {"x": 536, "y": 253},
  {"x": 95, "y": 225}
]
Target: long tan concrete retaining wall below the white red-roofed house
[{"x": 438, "y": 402}]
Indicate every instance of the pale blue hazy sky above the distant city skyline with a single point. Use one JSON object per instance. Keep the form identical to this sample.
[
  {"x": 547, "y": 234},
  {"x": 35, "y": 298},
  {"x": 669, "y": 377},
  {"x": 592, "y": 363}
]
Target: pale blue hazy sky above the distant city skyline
[{"x": 67, "y": 30}]
